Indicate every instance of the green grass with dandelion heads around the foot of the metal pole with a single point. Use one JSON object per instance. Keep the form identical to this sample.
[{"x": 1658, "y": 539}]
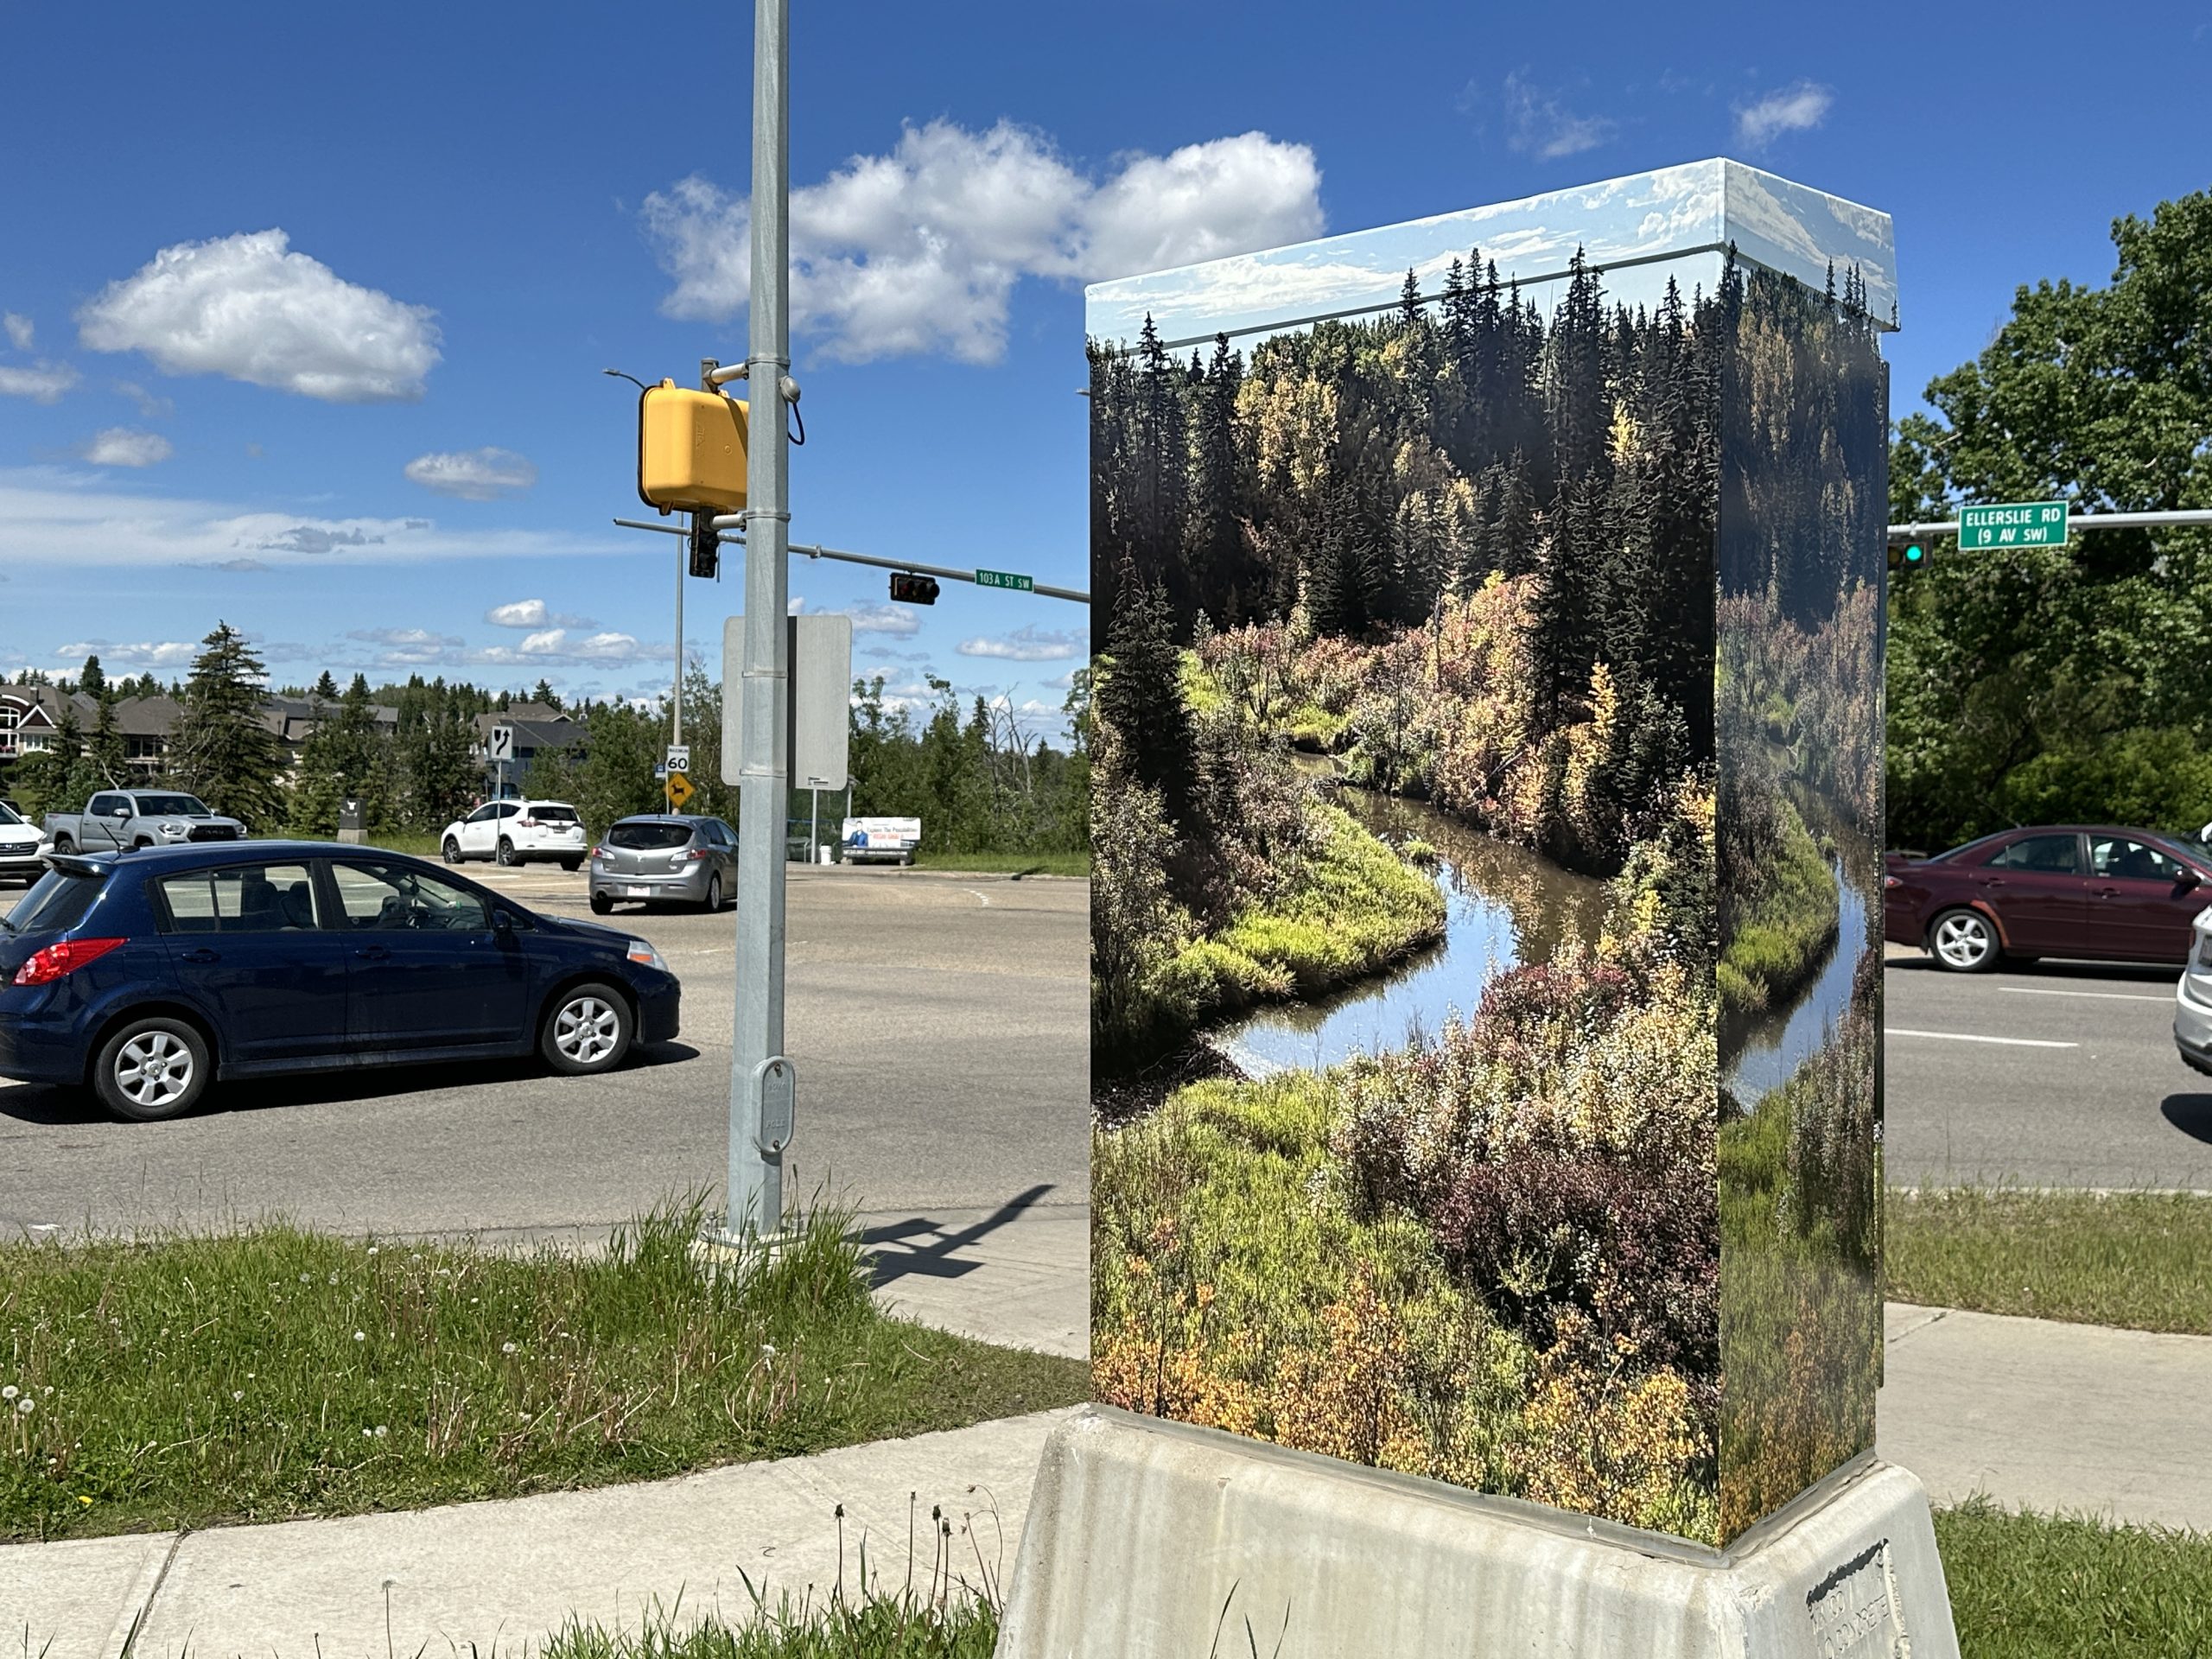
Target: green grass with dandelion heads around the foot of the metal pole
[{"x": 275, "y": 1373}]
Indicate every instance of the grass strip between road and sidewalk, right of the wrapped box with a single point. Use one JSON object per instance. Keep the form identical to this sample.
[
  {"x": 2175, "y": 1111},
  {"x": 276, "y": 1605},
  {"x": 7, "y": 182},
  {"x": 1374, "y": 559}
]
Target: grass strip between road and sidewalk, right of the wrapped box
[{"x": 2133, "y": 1260}]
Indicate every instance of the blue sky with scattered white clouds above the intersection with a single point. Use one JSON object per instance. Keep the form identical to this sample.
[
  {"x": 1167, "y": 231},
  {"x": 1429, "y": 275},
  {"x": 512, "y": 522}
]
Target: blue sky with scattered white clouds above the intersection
[{"x": 306, "y": 309}]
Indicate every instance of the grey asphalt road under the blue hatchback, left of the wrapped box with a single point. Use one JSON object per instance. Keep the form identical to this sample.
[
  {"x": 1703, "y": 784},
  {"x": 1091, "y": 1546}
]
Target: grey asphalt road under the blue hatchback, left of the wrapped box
[{"x": 939, "y": 1027}]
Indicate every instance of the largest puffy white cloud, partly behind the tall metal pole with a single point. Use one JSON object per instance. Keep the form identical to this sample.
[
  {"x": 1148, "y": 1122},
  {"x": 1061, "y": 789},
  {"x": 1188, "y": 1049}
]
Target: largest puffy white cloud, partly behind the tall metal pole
[{"x": 919, "y": 251}]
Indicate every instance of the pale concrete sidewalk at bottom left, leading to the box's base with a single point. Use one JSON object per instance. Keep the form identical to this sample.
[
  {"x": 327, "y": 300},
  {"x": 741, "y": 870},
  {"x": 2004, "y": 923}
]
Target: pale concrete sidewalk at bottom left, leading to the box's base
[{"x": 510, "y": 1574}]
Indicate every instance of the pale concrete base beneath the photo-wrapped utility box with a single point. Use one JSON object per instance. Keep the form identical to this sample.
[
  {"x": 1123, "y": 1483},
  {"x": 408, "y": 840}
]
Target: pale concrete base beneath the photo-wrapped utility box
[{"x": 1156, "y": 1538}]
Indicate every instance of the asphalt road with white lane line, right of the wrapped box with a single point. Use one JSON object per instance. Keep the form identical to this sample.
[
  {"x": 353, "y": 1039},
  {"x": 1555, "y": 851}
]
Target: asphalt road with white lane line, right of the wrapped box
[{"x": 2056, "y": 1074}]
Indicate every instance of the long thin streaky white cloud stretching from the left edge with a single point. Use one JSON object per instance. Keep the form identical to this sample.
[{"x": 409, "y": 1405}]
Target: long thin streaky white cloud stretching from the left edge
[{"x": 74, "y": 521}]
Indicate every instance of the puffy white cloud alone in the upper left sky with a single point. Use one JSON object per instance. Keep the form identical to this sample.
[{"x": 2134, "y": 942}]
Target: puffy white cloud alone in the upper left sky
[{"x": 253, "y": 311}]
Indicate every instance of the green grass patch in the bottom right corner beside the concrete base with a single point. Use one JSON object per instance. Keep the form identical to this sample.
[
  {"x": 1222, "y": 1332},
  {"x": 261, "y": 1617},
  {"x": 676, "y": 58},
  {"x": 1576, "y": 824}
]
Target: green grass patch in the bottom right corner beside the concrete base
[{"x": 2034, "y": 1587}]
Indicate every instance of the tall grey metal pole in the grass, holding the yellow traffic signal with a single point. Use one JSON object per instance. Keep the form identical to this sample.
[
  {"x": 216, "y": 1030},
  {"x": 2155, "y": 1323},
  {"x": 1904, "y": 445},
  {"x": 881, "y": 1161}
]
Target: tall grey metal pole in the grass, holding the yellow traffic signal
[{"x": 760, "y": 1074}]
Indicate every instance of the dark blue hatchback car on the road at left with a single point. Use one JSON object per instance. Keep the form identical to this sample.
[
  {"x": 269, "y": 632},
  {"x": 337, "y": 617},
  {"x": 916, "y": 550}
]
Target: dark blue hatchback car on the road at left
[{"x": 152, "y": 974}]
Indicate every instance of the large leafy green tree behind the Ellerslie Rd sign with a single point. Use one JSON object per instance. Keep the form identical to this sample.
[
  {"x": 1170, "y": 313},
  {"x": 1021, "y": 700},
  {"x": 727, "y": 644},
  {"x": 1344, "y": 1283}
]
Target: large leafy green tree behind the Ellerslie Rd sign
[{"x": 2016, "y": 680}]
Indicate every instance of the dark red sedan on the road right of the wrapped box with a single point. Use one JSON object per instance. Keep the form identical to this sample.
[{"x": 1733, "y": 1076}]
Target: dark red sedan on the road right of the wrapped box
[{"x": 2049, "y": 890}]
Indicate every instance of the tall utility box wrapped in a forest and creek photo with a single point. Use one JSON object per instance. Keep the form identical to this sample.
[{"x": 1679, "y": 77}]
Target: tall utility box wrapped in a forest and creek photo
[{"x": 1485, "y": 844}]
